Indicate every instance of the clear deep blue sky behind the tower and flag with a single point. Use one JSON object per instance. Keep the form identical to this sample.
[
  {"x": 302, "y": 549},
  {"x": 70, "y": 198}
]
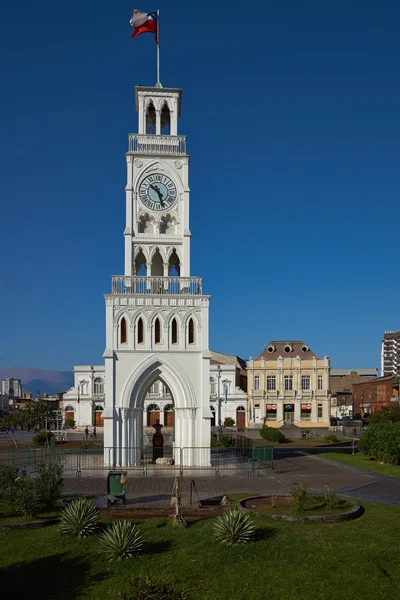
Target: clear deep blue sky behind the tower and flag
[{"x": 291, "y": 114}]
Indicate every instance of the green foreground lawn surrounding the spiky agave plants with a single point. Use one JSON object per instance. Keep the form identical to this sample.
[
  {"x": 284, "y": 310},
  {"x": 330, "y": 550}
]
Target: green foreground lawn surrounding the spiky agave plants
[{"x": 289, "y": 561}]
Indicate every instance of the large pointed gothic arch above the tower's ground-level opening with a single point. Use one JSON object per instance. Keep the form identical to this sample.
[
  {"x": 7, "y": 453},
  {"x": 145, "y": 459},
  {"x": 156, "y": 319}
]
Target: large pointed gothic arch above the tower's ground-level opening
[{"x": 170, "y": 372}]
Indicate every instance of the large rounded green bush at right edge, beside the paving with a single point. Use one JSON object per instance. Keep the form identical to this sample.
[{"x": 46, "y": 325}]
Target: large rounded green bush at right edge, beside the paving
[{"x": 382, "y": 442}]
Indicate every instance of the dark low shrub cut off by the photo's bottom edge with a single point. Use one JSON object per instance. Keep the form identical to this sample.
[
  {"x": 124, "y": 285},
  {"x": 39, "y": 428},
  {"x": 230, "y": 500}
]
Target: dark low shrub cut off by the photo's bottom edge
[{"x": 146, "y": 588}]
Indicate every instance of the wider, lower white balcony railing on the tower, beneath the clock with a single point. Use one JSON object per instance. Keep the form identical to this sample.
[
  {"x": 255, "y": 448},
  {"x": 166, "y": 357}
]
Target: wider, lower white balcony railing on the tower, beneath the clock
[{"x": 173, "y": 286}]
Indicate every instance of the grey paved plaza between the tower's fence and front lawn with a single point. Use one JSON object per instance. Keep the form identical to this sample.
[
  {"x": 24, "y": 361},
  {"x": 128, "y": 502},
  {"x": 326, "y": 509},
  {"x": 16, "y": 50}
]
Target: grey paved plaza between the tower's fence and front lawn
[{"x": 292, "y": 467}]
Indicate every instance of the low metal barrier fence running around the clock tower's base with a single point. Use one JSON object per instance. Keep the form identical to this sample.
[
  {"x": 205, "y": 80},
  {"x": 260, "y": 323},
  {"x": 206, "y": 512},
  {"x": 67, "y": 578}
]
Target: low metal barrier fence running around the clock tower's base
[{"x": 244, "y": 455}]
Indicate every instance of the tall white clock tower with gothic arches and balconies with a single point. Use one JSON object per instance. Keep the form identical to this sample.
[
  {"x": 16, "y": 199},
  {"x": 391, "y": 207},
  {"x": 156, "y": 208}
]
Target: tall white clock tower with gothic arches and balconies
[{"x": 157, "y": 315}]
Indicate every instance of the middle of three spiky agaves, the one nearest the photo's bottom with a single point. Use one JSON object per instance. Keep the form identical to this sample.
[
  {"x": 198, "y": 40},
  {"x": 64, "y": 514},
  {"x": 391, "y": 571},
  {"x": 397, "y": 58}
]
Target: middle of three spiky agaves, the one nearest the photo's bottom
[{"x": 122, "y": 540}]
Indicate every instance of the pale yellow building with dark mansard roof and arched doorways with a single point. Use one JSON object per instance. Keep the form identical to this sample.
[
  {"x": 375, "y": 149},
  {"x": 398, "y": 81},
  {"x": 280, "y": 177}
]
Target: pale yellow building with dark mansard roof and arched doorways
[{"x": 288, "y": 384}]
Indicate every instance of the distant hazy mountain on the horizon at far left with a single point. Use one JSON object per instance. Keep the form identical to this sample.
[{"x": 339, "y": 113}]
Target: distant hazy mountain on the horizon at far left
[{"x": 34, "y": 380}]
